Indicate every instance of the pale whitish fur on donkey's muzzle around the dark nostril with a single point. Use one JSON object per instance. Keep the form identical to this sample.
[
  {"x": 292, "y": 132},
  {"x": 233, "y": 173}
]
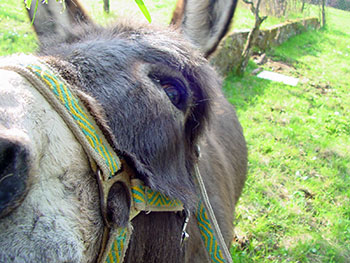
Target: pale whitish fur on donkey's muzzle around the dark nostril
[{"x": 59, "y": 219}]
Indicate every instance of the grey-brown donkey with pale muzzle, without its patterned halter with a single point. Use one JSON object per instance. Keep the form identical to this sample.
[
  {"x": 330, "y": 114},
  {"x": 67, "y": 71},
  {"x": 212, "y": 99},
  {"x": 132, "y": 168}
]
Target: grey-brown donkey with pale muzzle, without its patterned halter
[{"x": 155, "y": 98}]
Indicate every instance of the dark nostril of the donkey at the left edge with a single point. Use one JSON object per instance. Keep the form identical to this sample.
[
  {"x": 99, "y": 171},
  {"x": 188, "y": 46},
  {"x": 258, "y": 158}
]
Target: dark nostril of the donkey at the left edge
[{"x": 13, "y": 175}]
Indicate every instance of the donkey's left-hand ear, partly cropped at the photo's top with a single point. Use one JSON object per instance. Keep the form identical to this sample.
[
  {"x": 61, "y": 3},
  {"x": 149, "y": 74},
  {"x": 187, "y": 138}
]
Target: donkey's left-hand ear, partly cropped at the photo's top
[{"x": 53, "y": 19}]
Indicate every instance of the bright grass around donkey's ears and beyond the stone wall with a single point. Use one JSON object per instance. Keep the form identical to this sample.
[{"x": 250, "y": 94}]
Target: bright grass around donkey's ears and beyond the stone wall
[{"x": 16, "y": 34}]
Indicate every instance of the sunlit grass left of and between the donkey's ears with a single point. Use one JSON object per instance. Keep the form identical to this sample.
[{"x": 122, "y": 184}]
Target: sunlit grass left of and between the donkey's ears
[{"x": 16, "y": 34}]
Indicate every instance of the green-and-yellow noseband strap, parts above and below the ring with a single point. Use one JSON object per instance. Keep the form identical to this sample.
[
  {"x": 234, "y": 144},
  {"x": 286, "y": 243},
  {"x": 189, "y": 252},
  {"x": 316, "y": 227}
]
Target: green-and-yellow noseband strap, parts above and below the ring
[{"x": 60, "y": 96}]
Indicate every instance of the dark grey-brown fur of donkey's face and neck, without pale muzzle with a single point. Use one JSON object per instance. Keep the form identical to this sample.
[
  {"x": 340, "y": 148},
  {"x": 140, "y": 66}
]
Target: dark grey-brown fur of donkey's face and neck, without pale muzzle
[{"x": 122, "y": 70}]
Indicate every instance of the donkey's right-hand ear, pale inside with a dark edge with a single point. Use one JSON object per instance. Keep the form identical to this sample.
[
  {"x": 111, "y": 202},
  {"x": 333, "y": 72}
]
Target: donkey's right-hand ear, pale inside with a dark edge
[{"x": 204, "y": 22}]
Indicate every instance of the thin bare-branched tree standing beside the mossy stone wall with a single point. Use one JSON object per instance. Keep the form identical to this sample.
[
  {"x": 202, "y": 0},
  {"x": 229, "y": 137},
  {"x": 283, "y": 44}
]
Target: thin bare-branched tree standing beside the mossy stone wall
[{"x": 242, "y": 65}]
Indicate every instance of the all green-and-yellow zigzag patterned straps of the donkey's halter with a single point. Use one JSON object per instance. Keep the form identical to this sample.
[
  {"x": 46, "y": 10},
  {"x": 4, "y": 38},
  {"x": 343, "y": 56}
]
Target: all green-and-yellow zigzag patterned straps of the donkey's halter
[{"x": 58, "y": 94}]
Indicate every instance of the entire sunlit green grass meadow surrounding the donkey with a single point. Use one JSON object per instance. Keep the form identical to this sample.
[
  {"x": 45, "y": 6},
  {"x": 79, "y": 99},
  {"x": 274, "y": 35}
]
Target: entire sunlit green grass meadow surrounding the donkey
[{"x": 296, "y": 203}]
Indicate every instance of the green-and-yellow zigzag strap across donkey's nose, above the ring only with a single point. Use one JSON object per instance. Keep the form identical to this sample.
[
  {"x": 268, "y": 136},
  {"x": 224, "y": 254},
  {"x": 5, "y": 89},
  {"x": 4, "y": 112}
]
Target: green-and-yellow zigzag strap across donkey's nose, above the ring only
[{"x": 58, "y": 93}]
